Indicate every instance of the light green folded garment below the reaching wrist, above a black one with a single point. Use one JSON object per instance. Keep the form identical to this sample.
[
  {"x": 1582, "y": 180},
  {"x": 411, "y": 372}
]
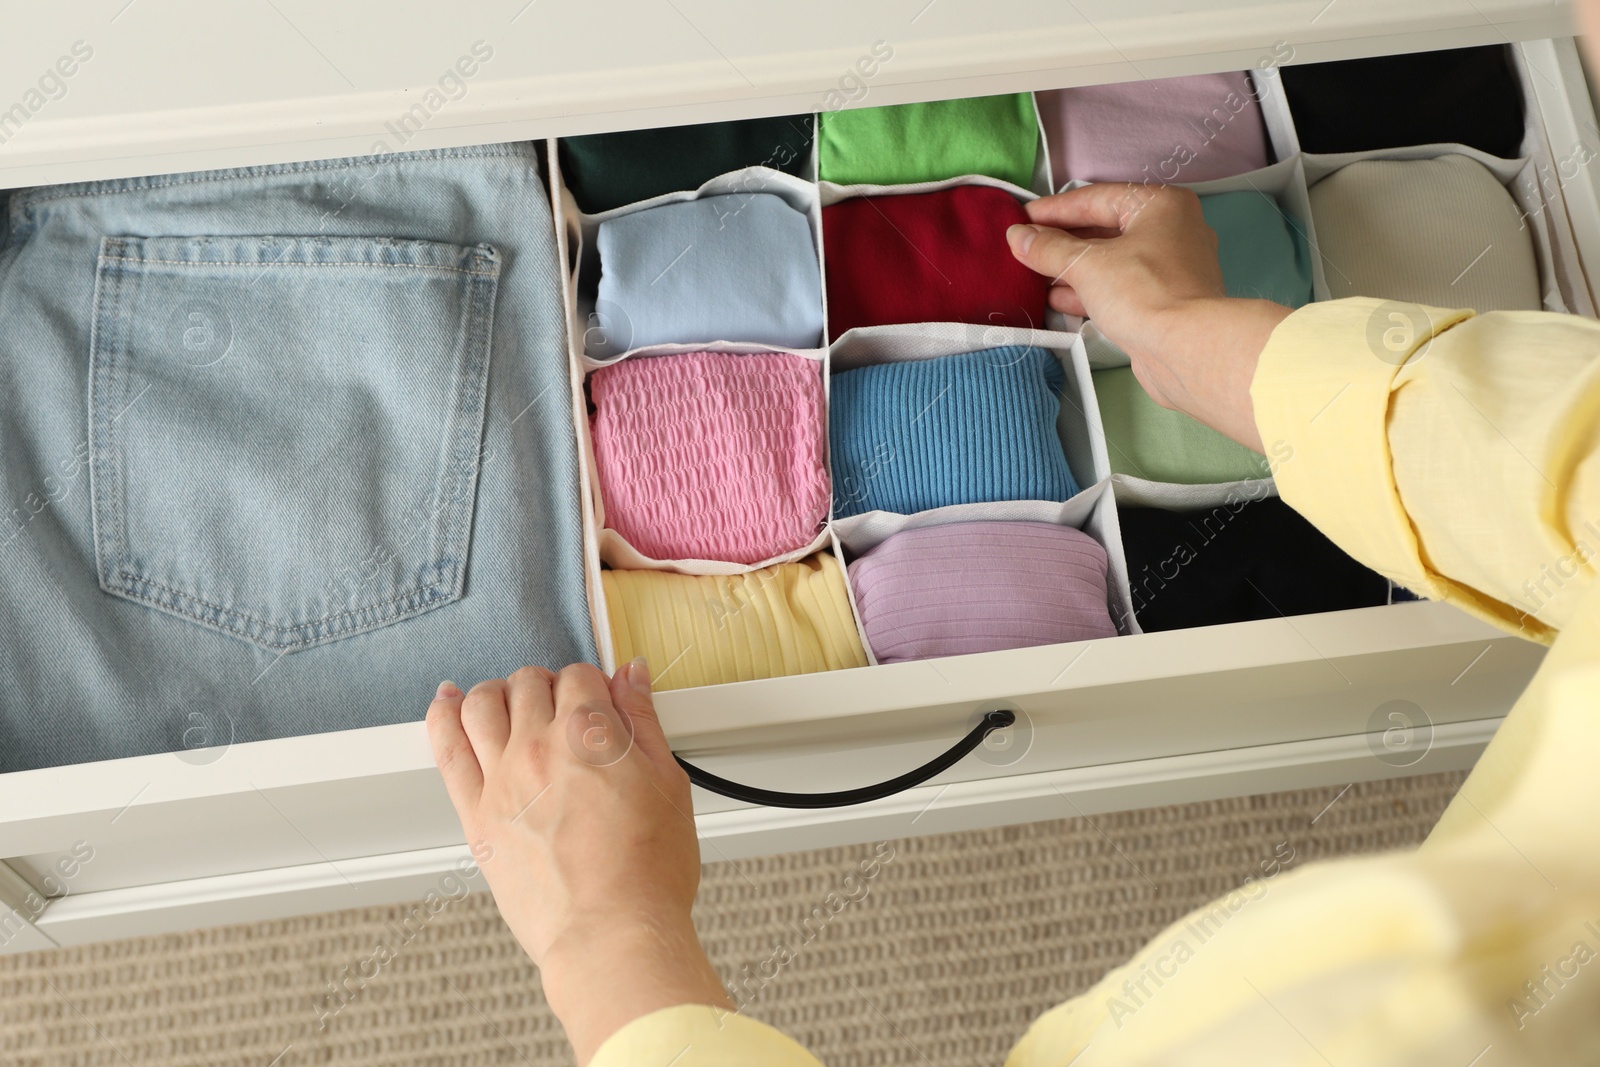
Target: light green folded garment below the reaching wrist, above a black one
[{"x": 1148, "y": 441}]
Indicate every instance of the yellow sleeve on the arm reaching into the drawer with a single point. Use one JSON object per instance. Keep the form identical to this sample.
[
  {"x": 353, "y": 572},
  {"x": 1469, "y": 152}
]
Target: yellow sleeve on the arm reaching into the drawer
[{"x": 1450, "y": 452}]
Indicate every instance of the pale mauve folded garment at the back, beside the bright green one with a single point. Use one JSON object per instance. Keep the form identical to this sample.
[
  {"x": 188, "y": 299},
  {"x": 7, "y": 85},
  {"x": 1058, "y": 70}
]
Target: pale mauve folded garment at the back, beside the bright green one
[{"x": 1166, "y": 130}]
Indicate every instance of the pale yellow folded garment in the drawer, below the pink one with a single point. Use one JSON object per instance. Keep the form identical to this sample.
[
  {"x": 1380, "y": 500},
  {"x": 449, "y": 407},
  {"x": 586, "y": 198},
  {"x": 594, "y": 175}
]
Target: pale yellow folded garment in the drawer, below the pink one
[{"x": 783, "y": 620}]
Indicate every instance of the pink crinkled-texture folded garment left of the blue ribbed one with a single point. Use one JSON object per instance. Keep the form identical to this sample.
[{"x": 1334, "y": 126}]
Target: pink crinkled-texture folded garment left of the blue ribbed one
[{"x": 710, "y": 455}]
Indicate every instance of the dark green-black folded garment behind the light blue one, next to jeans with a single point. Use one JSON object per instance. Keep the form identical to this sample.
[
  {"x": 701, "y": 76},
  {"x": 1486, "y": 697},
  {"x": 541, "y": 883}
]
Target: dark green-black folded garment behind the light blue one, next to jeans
[{"x": 607, "y": 170}]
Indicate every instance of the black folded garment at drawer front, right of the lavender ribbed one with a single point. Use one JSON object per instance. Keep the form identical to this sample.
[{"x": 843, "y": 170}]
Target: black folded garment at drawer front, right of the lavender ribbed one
[{"x": 1238, "y": 562}]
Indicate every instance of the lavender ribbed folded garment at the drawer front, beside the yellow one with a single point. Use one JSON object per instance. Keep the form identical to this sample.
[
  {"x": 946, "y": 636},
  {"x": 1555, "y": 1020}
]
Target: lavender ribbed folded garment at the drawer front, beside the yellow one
[{"x": 980, "y": 588}]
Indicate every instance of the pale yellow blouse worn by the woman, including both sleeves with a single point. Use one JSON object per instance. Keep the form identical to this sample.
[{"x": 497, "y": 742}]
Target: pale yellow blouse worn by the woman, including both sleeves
[{"x": 1466, "y": 465}]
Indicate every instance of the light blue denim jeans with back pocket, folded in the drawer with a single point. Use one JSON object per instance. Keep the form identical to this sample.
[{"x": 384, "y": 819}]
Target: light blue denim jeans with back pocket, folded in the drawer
[{"x": 281, "y": 449}]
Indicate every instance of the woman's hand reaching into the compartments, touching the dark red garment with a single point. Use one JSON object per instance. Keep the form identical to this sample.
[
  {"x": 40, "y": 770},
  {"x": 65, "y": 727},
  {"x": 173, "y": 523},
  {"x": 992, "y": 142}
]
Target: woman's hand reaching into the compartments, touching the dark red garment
[{"x": 1142, "y": 263}]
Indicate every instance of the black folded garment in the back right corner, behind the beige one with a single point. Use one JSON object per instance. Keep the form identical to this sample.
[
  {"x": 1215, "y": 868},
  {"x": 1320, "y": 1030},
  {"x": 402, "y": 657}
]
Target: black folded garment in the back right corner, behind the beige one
[{"x": 1457, "y": 97}]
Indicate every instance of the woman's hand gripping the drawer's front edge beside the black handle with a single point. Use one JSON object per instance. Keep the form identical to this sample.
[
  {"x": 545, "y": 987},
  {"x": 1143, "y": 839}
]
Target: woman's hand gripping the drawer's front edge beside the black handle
[{"x": 582, "y": 820}]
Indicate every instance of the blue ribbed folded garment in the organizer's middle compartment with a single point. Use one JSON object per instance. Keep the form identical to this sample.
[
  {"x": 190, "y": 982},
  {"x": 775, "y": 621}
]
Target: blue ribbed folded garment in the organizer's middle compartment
[{"x": 959, "y": 430}]
